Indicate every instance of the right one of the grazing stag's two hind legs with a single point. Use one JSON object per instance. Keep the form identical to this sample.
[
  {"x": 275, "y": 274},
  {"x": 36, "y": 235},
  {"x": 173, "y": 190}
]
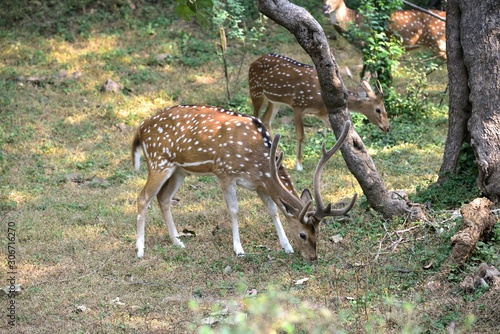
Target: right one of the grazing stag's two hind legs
[{"x": 165, "y": 196}]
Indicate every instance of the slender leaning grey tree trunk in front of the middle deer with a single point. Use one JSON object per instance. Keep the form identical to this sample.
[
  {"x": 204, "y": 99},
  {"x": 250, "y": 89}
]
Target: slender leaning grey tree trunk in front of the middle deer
[{"x": 311, "y": 37}]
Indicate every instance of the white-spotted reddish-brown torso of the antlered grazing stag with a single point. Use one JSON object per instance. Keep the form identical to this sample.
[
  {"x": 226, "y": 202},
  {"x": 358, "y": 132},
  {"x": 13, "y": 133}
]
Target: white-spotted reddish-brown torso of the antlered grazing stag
[{"x": 203, "y": 139}]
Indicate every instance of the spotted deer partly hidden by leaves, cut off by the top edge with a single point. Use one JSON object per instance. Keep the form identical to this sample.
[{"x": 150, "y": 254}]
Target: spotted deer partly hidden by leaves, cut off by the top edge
[{"x": 416, "y": 28}]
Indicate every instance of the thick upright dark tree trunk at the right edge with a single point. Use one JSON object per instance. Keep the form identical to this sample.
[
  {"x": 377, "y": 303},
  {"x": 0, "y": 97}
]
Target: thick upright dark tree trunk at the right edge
[{"x": 473, "y": 44}]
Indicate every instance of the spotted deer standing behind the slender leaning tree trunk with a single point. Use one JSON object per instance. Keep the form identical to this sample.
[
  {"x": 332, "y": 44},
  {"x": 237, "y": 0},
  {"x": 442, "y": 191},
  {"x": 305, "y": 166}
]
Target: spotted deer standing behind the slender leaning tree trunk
[{"x": 281, "y": 80}]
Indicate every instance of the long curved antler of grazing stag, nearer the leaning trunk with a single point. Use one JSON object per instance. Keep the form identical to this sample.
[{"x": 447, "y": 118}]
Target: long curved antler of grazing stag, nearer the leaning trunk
[{"x": 322, "y": 211}]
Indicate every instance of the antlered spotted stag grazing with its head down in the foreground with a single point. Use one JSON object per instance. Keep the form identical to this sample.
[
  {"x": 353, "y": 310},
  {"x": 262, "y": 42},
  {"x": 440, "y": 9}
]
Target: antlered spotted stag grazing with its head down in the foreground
[{"x": 237, "y": 149}]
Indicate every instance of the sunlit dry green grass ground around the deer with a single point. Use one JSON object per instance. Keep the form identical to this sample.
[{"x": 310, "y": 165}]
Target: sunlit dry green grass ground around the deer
[{"x": 68, "y": 184}]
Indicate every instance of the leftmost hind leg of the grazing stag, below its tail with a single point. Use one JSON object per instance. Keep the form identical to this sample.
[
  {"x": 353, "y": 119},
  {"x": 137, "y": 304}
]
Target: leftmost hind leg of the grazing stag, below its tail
[{"x": 153, "y": 185}]
